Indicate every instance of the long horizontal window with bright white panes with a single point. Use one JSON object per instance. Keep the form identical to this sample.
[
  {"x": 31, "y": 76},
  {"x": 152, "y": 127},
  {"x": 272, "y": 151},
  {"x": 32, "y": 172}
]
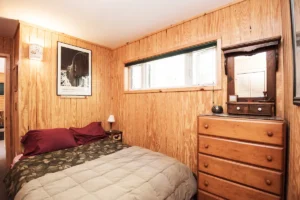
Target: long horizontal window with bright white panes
[{"x": 195, "y": 67}]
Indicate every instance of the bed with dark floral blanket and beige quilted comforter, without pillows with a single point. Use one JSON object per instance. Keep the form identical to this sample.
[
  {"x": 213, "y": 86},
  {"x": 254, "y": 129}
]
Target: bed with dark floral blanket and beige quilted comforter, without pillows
[{"x": 102, "y": 170}]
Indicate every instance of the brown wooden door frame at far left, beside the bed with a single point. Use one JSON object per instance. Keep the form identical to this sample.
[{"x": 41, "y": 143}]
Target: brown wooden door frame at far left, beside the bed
[{"x": 7, "y": 111}]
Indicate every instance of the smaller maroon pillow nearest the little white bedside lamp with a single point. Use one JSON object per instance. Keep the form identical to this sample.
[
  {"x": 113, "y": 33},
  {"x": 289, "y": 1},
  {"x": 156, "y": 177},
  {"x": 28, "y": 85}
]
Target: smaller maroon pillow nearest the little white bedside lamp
[{"x": 89, "y": 133}]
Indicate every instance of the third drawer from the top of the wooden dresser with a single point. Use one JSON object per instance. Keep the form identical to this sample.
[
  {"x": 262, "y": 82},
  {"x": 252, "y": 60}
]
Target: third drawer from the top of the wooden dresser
[{"x": 259, "y": 178}]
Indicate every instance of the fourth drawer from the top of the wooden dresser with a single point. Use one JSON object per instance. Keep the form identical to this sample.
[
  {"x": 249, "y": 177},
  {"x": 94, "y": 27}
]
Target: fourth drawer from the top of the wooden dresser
[{"x": 230, "y": 190}]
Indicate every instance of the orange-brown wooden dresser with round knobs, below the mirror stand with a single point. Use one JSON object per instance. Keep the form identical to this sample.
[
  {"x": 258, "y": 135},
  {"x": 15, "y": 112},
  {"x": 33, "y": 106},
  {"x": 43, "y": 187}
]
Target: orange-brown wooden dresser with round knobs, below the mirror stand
[{"x": 241, "y": 158}]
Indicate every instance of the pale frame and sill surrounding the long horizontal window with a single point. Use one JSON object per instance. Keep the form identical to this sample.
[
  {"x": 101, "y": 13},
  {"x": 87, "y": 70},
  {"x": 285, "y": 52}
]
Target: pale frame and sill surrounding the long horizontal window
[{"x": 216, "y": 86}]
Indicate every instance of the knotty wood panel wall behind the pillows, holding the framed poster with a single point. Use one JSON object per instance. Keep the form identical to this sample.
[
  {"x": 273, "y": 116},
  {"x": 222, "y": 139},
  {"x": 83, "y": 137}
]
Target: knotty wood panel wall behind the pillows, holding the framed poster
[{"x": 38, "y": 105}]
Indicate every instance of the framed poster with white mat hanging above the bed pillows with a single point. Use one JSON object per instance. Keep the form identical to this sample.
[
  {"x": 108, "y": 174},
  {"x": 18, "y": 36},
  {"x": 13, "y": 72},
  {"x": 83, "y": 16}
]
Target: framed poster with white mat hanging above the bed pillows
[{"x": 74, "y": 71}]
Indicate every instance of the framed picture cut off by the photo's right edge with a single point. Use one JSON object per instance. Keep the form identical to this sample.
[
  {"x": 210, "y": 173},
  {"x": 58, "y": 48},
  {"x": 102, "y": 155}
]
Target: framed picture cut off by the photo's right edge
[{"x": 295, "y": 18}]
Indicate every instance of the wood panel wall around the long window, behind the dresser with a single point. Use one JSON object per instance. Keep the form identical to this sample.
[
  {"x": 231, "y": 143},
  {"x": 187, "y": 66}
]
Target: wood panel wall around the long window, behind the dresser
[{"x": 166, "y": 122}]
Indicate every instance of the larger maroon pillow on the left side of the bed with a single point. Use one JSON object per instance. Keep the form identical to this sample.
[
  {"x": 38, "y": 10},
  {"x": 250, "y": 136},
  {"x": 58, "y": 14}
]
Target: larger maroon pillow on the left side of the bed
[{"x": 42, "y": 141}]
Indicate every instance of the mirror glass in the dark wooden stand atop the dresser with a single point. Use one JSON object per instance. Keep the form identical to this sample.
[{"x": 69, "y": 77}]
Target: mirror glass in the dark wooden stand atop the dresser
[{"x": 250, "y": 74}]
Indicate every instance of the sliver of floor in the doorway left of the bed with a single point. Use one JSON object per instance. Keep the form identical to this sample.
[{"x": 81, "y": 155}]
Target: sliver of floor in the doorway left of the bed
[{"x": 3, "y": 170}]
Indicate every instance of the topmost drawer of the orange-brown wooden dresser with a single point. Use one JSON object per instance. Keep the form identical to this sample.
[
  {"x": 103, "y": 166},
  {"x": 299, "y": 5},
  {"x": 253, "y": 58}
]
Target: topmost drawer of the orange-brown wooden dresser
[{"x": 269, "y": 132}]
